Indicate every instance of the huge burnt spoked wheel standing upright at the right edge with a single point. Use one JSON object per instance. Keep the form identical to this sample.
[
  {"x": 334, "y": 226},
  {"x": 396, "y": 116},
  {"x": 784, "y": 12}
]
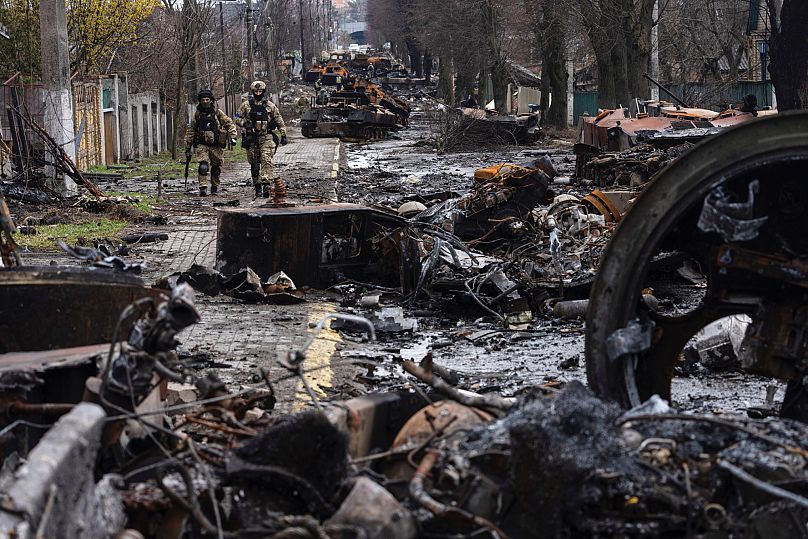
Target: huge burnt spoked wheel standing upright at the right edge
[{"x": 736, "y": 206}]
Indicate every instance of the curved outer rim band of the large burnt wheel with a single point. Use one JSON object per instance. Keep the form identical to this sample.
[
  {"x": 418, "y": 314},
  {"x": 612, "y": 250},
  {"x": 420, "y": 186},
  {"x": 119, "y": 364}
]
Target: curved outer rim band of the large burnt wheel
[{"x": 615, "y": 296}]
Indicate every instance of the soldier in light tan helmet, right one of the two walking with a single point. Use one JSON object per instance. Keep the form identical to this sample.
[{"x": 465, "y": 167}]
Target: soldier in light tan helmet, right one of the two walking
[{"x": 260, "y": 118}]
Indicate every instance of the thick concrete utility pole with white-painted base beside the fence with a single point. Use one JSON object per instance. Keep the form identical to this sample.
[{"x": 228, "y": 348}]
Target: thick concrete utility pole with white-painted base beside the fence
[{"x": 56, "y": 92}]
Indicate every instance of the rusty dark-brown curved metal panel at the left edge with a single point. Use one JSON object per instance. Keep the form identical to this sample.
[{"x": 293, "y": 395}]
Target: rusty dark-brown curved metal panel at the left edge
[{"x": 44, "y": 308}]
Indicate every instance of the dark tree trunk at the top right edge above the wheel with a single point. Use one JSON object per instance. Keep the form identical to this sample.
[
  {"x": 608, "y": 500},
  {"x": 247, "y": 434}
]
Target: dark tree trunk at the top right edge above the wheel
[{"x": 788, "y": 48}]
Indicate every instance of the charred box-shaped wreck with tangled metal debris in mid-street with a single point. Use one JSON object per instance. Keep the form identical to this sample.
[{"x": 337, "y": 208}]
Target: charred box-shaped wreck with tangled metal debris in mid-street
[{"x": 505, "y": 247}]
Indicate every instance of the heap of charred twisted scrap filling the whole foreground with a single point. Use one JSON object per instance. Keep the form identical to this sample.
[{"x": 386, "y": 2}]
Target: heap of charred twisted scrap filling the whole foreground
[{"x": 442, "y": 460}]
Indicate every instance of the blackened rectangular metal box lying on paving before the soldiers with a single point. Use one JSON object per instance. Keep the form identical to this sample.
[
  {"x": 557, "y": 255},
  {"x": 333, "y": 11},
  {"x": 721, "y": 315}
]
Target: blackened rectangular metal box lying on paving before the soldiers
[{"x": 315, "y": 245}]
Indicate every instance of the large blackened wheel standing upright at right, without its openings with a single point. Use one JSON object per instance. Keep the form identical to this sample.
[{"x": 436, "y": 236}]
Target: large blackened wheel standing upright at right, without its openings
[{"x": 773, "y": 150}]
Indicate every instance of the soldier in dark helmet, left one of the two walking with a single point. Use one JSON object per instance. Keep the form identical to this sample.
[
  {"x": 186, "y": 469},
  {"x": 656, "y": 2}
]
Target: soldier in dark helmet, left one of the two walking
[{"x": 209, "y": 133}]
